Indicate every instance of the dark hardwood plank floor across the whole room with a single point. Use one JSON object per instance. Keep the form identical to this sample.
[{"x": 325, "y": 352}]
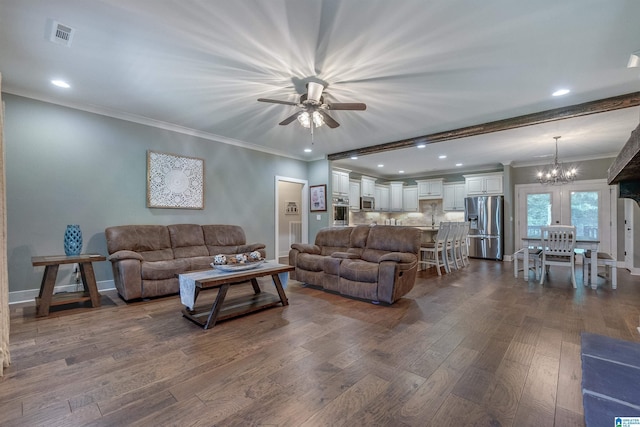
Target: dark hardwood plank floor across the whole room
[{"x": 475, "y": 347}]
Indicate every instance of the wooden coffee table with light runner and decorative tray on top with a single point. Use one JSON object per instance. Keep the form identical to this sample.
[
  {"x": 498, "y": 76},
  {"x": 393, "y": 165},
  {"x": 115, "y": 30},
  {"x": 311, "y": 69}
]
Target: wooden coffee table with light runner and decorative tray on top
[{"x": 238, "y": 306}]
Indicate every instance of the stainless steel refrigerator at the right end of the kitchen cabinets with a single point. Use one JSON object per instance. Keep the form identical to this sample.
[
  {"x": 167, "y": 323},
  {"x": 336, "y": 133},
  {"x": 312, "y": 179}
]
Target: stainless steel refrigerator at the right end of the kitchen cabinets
[{"x": 486, "y": 222}]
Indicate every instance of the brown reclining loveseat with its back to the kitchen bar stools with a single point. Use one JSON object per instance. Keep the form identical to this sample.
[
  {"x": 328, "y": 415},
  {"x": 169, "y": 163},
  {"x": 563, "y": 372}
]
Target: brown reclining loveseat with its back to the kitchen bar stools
[{"x": 376, "y": 263}]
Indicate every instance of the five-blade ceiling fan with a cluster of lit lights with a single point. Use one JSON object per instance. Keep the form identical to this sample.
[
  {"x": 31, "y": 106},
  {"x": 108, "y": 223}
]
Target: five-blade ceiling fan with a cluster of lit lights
[{"x": 314, "y": 109}]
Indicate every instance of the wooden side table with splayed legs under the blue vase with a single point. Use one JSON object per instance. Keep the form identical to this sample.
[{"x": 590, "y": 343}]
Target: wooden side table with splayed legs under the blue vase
[{"x": 46, "y": 298}]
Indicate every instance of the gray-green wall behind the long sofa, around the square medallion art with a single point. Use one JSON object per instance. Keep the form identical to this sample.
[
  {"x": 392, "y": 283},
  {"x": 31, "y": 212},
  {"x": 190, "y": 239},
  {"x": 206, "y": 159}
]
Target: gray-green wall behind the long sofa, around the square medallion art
[{"x": 66, "y": 166}]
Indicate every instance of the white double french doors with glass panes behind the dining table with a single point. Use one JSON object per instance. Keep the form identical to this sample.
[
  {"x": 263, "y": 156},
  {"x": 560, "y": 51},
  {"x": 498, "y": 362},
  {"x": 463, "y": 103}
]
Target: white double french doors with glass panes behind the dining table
[{"x": 588, "y": 205}]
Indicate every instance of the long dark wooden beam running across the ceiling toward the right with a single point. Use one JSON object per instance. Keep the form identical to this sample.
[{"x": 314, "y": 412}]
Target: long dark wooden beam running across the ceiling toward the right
[{"x": 572, "y": 111}]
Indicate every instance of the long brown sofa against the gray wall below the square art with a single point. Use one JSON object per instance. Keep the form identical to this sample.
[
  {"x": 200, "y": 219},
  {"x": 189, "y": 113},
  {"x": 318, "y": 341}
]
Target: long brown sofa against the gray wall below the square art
[{"x": 146, "y": 258}]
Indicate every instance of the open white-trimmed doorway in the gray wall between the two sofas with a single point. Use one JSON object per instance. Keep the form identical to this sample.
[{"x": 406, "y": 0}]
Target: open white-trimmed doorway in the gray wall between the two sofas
[{"x": 291, "y": 216}]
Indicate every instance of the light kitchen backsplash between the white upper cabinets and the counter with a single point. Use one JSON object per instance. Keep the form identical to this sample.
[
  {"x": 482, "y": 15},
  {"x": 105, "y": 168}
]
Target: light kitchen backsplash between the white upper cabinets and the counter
[{"x": 428, "y": 210}]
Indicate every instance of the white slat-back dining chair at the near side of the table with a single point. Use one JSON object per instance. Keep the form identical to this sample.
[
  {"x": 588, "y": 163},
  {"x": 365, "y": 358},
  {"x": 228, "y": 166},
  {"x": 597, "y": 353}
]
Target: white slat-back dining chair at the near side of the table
[{"x": 558, "y": 245}]
